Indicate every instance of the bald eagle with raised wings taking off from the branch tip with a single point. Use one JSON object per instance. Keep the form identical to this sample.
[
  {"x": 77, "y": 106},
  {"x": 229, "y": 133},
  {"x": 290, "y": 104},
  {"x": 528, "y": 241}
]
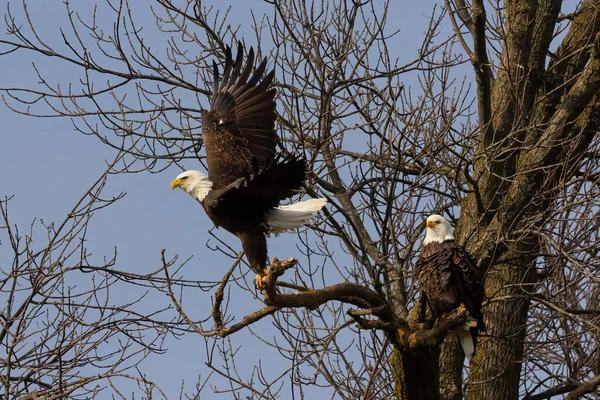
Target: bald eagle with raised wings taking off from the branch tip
[{"x": 246, "y": 178}]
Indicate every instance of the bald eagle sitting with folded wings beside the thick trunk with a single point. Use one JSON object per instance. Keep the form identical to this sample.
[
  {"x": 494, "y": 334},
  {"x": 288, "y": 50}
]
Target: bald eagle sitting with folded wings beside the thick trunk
[{"x": 447, "y": 277}]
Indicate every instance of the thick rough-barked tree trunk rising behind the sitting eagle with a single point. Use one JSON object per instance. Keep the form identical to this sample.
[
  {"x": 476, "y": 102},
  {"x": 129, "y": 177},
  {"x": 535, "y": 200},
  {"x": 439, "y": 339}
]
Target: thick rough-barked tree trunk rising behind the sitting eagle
[{"x": 538, "y": 116}]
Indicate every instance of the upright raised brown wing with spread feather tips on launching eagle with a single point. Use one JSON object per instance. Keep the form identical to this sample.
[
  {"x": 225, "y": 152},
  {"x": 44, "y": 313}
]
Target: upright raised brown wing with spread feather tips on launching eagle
[{"x": 239, "y": 129}]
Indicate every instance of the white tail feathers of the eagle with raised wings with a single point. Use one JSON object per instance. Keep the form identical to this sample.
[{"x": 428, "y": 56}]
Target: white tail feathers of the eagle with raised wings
[{"x": 292, "y": 216}]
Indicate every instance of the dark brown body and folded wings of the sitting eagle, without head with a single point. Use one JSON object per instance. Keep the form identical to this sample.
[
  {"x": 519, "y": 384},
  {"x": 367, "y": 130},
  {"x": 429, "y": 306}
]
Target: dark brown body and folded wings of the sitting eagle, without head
[{"x": 448, "y": 277}]
